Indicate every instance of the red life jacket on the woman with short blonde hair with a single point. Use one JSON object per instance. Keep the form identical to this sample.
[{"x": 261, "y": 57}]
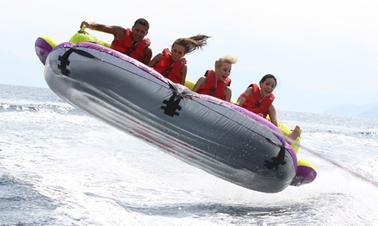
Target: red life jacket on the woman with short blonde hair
[{"x": 214, "y": 87}]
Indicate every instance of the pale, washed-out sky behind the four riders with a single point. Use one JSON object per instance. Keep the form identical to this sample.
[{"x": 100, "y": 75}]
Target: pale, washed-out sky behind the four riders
[{"x": 324, "y": 53}]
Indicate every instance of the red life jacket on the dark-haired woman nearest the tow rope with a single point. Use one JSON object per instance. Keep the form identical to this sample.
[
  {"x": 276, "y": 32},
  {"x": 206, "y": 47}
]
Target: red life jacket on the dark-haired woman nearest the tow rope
[{"x": 256, "y": 103}]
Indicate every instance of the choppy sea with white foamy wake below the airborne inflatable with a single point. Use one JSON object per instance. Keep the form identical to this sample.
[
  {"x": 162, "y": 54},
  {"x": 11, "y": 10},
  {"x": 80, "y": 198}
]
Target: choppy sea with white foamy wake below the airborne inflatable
[{"x": 61, "y": 166}]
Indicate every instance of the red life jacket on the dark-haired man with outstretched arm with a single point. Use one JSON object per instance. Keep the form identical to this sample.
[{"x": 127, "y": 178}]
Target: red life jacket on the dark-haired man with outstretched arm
[{"x": 127, "y": 46}]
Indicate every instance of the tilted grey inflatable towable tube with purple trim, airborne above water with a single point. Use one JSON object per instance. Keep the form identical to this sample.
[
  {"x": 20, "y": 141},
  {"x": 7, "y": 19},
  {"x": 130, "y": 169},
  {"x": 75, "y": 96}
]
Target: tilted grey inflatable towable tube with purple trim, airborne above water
[{"x": 216, "y": 136}]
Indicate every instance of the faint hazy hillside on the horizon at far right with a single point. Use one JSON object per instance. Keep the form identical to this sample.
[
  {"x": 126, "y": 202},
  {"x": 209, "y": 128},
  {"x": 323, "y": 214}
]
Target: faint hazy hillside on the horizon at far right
[{"x": 365, "y": 111}]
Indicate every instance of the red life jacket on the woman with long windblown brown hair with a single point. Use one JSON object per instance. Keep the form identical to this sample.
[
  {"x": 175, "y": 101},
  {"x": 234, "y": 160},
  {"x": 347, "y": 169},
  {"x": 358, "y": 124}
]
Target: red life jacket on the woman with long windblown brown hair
[{"x": 169, "y": 68}]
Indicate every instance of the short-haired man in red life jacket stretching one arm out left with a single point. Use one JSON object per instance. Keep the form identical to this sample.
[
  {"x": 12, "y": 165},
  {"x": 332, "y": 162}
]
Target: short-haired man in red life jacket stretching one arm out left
[{"x": 131, "y": 42}]
